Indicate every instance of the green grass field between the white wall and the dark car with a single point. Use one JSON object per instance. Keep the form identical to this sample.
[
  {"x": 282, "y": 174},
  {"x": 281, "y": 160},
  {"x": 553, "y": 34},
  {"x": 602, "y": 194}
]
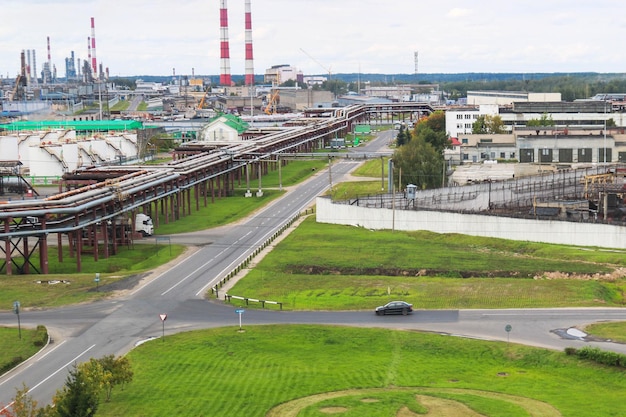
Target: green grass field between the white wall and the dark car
[{"x": 322, "y": 266}]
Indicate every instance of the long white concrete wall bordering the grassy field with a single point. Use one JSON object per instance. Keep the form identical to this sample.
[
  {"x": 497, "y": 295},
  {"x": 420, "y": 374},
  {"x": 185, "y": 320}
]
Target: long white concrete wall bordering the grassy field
[{"x": 547, "y": 231}]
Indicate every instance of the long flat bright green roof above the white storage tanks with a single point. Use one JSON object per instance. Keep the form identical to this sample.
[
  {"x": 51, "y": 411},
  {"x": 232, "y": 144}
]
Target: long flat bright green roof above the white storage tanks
[{"x": 78, "y": 125}]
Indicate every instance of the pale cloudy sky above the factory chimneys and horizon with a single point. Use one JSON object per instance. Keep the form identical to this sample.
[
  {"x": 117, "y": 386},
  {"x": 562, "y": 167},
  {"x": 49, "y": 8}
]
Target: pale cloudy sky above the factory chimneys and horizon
[{"x": 153, "y": 37}]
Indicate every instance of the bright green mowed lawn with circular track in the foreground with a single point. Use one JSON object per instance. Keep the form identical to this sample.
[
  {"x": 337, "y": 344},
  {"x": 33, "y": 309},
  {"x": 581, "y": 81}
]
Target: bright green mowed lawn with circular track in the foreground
[{"x": 224, "y": 372}]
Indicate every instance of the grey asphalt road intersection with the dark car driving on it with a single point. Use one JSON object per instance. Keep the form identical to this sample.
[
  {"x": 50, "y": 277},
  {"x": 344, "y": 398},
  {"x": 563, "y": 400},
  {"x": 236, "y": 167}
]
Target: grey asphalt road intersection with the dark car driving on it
[{"x": 116, "y": 326}]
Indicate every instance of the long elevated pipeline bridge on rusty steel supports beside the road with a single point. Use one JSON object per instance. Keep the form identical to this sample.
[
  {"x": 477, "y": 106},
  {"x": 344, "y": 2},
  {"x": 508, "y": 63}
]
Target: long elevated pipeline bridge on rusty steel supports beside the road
[{"x": 97, "y": 211}]
